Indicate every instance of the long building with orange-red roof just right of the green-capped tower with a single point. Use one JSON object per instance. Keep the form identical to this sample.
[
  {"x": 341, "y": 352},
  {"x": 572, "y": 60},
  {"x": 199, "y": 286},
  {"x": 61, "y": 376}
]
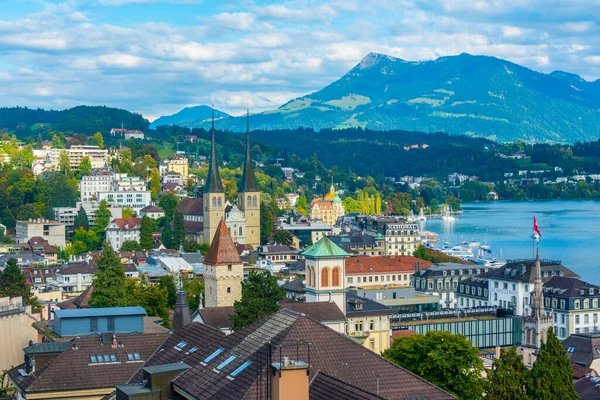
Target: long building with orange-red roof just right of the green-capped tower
[{"x": 374, "y": 271}]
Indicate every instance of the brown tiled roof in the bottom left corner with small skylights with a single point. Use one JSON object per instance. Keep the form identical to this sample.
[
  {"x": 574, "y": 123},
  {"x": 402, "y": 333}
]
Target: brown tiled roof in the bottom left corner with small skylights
[{"x": 72, "y": 369}]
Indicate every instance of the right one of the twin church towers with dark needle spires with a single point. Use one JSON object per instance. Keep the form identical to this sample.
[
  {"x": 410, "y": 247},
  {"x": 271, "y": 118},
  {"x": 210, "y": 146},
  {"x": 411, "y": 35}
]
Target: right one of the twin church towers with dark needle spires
[{"x": 249, "y": 195}]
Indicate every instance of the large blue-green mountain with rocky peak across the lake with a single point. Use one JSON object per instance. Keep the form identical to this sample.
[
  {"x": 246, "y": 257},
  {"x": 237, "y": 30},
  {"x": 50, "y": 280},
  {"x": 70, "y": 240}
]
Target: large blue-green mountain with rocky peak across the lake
[{"x": 471, "y": 95}]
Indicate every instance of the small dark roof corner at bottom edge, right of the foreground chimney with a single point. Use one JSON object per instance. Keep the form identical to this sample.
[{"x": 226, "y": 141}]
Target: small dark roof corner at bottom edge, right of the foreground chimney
[{"x": 325, "y": 387}]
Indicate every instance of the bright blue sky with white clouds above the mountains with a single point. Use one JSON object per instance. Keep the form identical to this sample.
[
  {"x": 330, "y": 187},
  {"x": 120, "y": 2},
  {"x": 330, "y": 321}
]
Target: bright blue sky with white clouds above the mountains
[{"x": 155, "y": 57}]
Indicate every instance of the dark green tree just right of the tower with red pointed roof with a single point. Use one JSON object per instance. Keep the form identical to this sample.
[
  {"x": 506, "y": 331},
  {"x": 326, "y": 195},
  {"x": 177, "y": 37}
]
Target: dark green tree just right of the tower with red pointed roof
[{"x": 260, "y": 297}]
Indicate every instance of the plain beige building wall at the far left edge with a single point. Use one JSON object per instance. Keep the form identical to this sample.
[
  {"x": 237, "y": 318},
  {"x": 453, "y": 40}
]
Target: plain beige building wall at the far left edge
[{"x": 15, "y": 330}]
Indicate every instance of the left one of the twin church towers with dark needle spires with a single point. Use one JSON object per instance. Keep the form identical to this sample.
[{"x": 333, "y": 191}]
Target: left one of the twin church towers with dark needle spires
[{"x": 214, "y": 194}]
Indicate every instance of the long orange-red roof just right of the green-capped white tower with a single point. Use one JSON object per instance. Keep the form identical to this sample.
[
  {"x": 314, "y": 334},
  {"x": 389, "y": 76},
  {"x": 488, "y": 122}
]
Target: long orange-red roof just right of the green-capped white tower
[{"x": 379, "y": 264}]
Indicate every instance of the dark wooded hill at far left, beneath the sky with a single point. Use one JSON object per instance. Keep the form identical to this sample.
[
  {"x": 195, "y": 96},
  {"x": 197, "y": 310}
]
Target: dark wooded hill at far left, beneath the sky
[{"x": 81, "y": 119}]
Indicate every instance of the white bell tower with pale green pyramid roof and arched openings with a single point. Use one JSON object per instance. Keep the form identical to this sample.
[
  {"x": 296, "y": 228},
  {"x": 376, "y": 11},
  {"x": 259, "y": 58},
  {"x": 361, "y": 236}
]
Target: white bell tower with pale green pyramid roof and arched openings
[{"x": 325, "y": 273}]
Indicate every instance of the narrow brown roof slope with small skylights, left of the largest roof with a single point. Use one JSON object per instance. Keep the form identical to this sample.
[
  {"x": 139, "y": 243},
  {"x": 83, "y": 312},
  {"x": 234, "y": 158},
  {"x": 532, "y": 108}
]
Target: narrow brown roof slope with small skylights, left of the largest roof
[{"x": 196, "y": 335}]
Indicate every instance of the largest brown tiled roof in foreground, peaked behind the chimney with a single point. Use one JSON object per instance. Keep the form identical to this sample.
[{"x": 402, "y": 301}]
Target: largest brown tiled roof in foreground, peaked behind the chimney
[{"x": 330, "y": 352}]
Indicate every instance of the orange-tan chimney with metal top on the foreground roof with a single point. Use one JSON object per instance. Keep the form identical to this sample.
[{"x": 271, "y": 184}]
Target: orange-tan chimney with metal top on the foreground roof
[{"x": 290, "y": 380}]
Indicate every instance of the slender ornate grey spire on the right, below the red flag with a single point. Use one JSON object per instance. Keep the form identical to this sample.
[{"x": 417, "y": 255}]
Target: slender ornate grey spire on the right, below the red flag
[{"x": 536, "y": 325}]
